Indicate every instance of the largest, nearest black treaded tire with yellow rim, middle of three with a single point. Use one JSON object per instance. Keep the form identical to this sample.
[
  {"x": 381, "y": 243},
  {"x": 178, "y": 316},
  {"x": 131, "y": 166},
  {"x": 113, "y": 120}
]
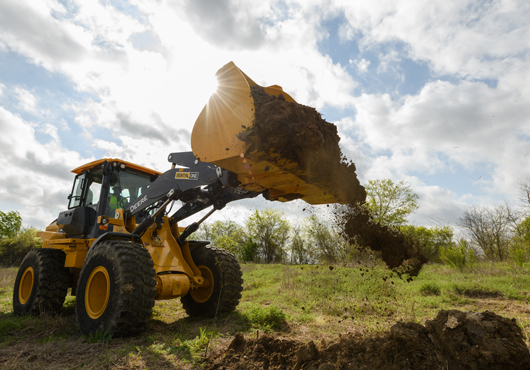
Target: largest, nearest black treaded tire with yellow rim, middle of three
[{"x": 131, "y": 289}]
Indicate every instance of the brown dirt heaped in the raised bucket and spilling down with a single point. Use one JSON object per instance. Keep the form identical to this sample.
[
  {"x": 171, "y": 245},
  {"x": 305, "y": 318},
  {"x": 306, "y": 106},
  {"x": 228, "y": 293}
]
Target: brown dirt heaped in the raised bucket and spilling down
[{"x": 300, "y": 134}]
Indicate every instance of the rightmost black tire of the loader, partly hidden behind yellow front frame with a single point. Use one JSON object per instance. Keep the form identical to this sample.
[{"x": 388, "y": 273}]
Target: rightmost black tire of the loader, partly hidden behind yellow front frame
[{"x": 228, "y": 283}]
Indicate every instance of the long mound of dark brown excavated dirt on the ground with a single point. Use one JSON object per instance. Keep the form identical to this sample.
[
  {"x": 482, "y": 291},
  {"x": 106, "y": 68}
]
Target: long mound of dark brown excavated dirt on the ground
[{"x": 454, "y": 340}]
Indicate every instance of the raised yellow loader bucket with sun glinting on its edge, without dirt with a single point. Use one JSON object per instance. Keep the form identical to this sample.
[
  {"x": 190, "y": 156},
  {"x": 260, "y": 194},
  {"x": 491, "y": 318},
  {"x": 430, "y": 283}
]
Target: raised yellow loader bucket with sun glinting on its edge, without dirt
[{"x": 214, "y": 139}]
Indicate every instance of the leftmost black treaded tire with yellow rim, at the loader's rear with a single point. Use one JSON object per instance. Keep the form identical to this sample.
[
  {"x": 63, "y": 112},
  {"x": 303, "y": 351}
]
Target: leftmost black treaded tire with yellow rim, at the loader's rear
[{"x": 44, "y": 288}]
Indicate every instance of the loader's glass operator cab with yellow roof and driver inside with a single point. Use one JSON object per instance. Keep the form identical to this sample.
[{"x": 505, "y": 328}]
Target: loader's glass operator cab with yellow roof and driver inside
[{"x": 100, "y": 188}]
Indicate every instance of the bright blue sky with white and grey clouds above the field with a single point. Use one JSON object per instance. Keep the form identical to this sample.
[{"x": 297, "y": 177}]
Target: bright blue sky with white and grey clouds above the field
[{"x": 435, "y": 93}]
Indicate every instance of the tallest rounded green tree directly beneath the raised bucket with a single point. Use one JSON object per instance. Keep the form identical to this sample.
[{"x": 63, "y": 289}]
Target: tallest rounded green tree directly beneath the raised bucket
[{"x": 270, "y": 232}]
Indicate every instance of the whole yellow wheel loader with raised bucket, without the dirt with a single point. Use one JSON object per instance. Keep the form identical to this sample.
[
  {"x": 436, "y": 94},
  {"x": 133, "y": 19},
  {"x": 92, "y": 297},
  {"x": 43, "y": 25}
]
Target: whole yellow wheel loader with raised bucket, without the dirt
[{"x": 118, "y": 247}]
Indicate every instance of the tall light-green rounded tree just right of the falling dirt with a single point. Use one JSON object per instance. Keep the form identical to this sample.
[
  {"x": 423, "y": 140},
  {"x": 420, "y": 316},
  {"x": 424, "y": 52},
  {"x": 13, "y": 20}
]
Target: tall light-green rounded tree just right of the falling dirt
[{"x": 389, "y": 203}]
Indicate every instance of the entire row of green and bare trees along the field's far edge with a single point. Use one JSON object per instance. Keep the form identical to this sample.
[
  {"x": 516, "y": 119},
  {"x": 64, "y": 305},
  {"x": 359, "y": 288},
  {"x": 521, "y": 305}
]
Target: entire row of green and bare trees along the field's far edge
[{"x": 497, "y": 233}]
